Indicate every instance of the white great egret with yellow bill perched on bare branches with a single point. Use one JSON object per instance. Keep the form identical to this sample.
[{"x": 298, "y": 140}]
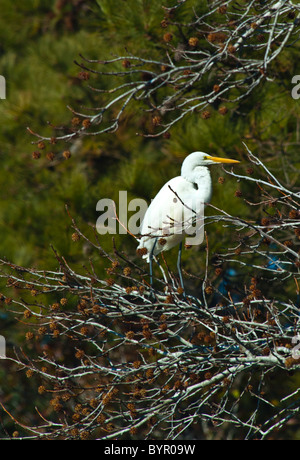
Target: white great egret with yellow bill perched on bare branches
[{"x": 178, "y": 207}]
